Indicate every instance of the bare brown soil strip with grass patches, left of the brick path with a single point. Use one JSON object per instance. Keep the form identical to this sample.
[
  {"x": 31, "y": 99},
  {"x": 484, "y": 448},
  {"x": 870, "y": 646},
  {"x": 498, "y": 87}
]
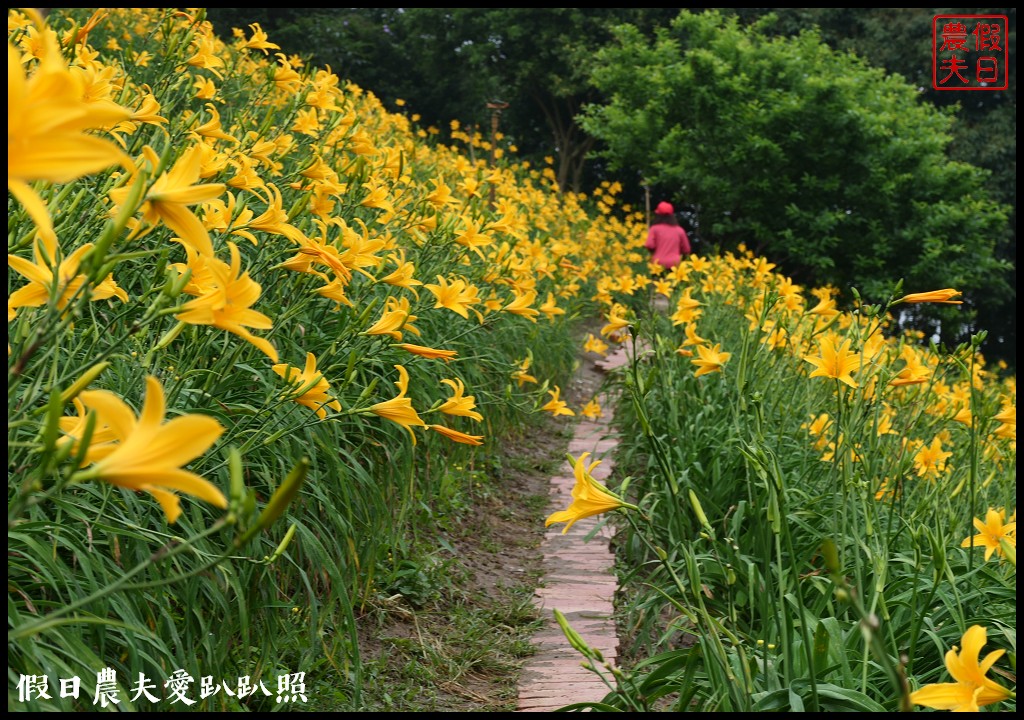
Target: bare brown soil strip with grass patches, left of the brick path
[{"x": 496, "y": 567}]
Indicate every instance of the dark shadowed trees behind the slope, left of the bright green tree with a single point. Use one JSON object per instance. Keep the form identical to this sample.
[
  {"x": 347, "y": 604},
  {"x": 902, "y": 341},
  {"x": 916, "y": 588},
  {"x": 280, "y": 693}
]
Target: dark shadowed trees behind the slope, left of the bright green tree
[{"x": 450, "y": 63}]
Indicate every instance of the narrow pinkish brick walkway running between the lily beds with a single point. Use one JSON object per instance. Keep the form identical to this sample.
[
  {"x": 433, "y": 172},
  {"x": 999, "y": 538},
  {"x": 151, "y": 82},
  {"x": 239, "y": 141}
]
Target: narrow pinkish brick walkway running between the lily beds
[{"x": 579, "y": 582}]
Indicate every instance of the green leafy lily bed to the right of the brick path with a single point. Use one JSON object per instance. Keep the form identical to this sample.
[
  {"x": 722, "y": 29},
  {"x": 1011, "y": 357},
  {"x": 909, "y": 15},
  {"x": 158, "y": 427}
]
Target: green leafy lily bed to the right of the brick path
[{"x": 790, "y": 555}]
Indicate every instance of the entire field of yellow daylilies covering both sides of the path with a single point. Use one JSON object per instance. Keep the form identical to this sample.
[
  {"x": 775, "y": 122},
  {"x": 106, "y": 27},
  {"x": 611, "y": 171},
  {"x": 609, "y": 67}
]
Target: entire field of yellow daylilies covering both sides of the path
[{"x": 254, "y": 320}]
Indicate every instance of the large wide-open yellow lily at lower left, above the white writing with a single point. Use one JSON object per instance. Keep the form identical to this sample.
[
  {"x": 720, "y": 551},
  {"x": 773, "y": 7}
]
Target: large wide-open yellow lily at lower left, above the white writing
[{"x": 149, "y": 454}]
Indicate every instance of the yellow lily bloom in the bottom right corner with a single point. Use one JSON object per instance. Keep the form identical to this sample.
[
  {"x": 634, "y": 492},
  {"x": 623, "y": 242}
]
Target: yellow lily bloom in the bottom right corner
[{"x": 972, "y": 690}]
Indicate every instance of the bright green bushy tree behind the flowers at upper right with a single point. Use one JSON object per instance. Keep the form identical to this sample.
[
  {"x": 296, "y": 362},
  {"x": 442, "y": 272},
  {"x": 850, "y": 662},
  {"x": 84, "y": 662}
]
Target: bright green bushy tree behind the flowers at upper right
[{"x": 823, "y": 163}]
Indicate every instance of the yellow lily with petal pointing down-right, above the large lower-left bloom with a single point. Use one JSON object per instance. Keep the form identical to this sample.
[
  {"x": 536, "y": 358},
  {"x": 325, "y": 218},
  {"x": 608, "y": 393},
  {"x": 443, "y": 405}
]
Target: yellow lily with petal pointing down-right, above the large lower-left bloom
[{"x": 225, "y": 297}]
